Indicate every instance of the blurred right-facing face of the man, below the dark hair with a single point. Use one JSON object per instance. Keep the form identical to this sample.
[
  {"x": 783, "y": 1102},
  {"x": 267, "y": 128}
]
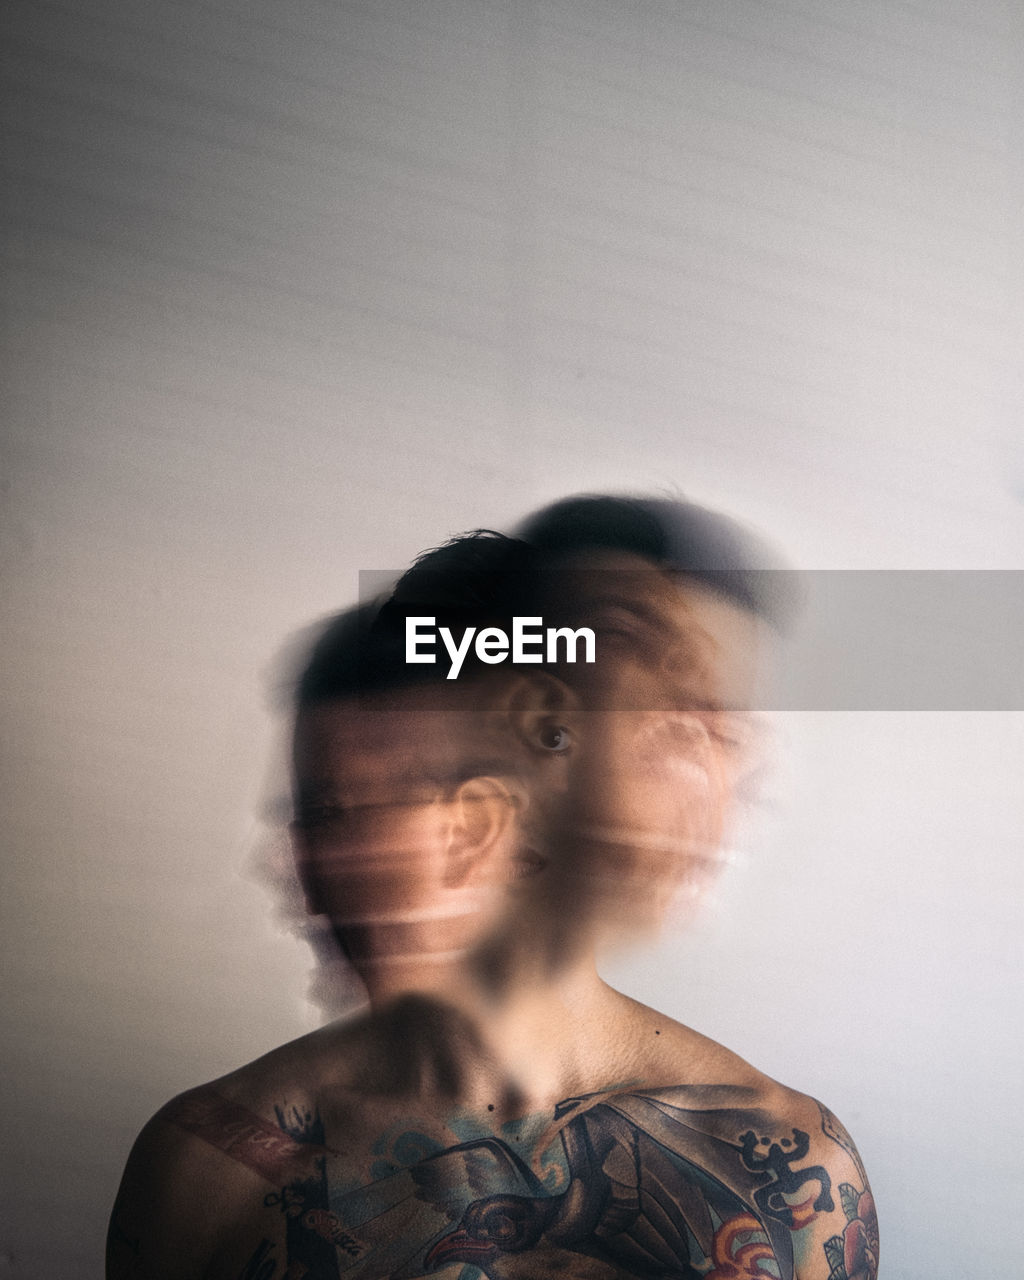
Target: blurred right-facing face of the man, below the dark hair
[{"x": 665, "y": 737}]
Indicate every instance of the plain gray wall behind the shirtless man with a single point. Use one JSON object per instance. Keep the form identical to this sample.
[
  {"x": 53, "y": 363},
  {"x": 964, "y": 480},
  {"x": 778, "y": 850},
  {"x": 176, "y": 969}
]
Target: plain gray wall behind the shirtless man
[{"x": 298, "y": 290}]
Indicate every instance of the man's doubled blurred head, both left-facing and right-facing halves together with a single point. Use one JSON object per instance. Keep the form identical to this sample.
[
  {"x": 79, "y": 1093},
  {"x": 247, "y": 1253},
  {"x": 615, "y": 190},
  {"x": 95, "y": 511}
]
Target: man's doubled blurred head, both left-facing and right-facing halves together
[{"x": 619, "y": 775}]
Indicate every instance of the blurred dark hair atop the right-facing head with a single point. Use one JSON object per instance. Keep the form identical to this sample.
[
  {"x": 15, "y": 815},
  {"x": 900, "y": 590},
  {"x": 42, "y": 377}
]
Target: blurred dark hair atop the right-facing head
[{"x": 673, "y": 534}]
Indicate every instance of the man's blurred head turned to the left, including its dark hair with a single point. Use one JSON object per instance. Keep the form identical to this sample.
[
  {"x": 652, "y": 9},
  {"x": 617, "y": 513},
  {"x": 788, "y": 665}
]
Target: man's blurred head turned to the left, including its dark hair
[{"x": 414, "y": 796}]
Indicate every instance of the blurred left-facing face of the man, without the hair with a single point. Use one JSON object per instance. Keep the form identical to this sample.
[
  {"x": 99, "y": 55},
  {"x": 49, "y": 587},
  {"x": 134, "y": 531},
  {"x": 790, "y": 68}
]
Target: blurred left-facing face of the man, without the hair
[{"x": 381, "y": 844}]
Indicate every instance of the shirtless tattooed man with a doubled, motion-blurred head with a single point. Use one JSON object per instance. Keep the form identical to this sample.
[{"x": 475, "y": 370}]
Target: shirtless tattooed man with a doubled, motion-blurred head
[{"x": 501, "y": 1108}]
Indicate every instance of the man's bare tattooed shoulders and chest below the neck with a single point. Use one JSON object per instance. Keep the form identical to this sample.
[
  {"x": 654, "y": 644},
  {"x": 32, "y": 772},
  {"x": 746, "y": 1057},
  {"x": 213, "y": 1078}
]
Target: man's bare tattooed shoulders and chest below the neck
[{"x": 404, "y": 1133}]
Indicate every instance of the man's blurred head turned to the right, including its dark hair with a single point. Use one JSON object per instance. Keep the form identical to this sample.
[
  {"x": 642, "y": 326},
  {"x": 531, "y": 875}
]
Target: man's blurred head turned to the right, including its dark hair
[{"x": 679, "y": 600}]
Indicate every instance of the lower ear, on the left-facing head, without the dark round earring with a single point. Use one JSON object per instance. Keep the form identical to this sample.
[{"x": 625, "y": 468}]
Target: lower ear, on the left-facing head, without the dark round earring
[{"x": 482, "y": 838}]
